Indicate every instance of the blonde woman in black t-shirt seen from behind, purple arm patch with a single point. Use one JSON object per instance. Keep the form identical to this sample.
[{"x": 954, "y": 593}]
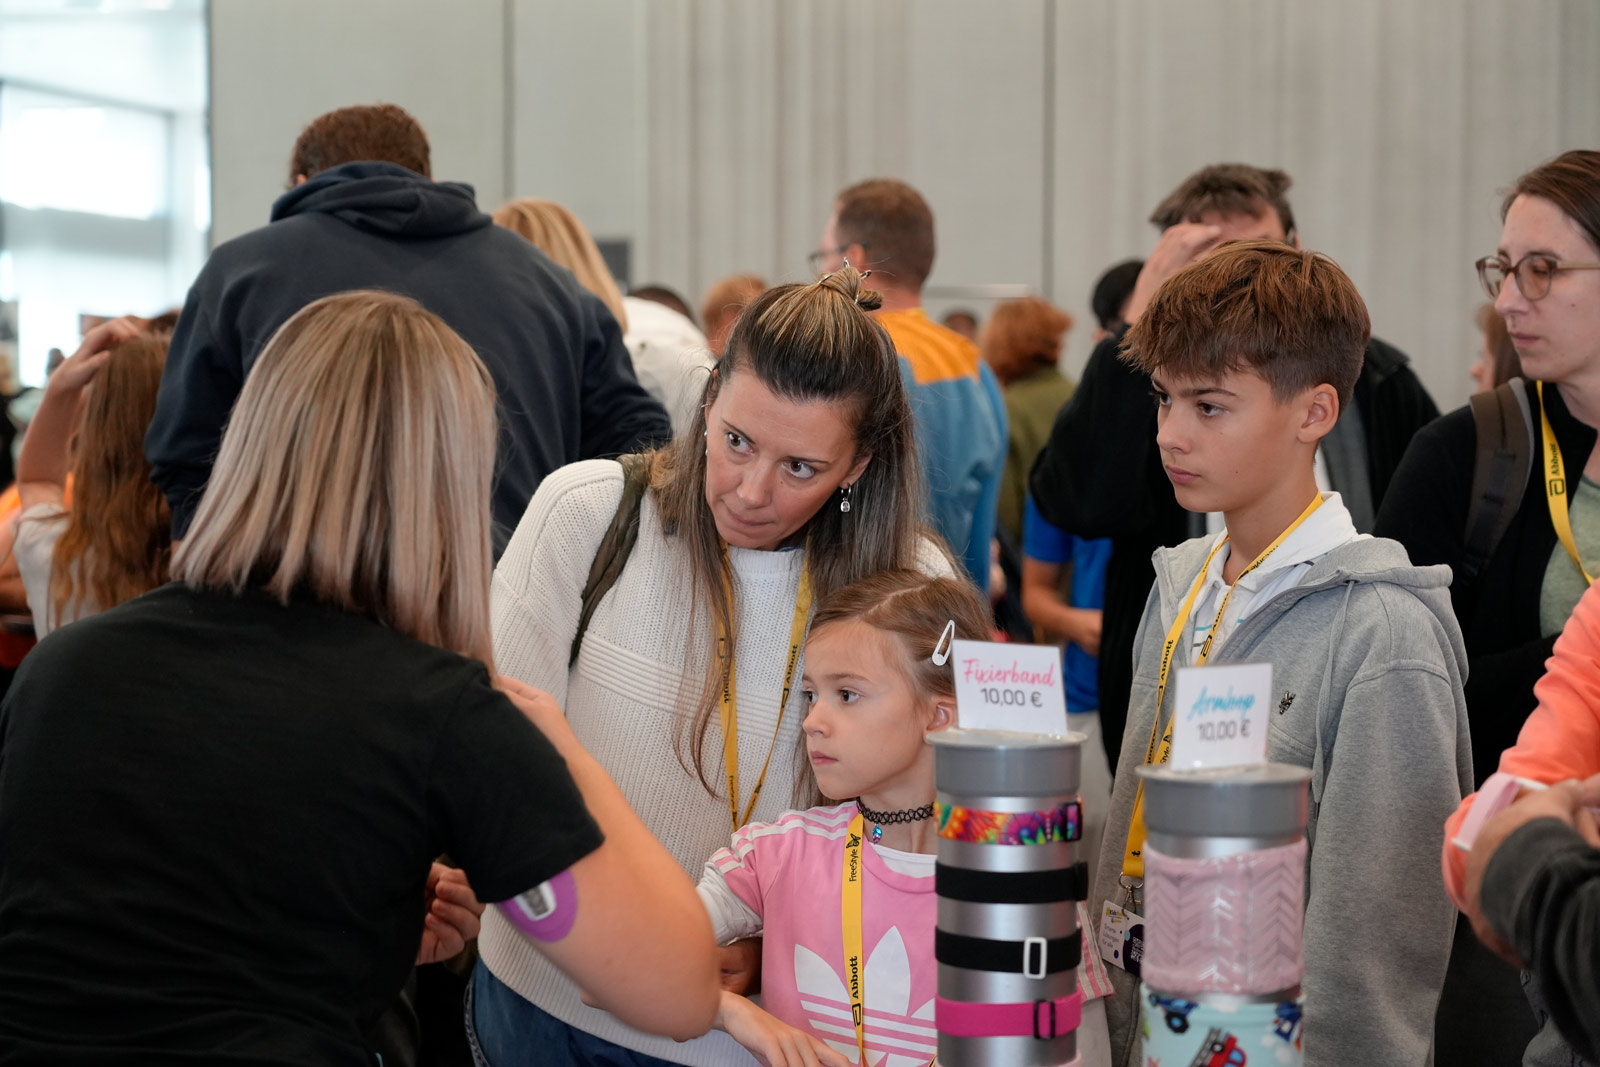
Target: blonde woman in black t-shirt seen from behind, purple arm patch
[{"x": 270, "y": 751}]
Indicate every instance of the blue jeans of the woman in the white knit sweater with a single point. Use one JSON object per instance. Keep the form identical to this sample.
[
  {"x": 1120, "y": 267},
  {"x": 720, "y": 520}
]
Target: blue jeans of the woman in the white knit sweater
[{"x": 506, "y": 1031}]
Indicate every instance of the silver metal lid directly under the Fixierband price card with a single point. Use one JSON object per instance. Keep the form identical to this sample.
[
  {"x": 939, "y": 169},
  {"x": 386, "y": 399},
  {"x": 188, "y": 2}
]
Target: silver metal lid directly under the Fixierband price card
[{"x": 1004, "y": 764}]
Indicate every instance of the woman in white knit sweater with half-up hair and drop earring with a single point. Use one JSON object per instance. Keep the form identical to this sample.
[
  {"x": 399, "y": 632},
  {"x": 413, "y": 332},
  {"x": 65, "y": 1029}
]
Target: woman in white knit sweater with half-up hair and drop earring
[{"x": 796, "y": 478}]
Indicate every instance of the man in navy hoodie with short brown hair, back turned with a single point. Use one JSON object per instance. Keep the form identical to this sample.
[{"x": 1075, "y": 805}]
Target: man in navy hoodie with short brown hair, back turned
[{"x": 364, "y": 214}]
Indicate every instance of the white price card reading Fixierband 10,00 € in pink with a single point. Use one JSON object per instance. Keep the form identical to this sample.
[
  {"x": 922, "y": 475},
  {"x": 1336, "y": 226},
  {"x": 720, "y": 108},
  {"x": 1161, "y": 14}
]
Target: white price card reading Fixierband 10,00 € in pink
[{"x": 1010, "y": 687}]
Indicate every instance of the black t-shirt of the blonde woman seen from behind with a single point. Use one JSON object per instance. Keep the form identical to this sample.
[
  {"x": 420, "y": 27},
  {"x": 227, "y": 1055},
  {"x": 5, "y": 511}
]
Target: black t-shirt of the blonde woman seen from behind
[{"x": 217, "y": 821}]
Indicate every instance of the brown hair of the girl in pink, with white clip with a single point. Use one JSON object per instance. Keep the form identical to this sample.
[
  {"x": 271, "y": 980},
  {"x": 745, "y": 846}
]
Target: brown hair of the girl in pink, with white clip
[{"x": 916, "y": 610}]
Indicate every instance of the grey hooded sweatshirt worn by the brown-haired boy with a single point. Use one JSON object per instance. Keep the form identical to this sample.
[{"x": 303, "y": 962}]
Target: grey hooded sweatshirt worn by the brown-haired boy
[{"x": 1369, "y": 660}]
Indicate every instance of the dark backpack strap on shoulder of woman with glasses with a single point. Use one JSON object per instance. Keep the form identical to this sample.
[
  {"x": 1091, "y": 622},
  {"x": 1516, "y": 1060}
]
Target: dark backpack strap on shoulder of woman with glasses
[{"x": 1500, "y": 471}]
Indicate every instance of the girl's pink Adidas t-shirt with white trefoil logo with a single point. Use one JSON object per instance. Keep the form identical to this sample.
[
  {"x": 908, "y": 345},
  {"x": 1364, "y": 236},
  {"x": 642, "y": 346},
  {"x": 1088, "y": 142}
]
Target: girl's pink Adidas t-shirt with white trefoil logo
[{"x": 783, "y": 881}]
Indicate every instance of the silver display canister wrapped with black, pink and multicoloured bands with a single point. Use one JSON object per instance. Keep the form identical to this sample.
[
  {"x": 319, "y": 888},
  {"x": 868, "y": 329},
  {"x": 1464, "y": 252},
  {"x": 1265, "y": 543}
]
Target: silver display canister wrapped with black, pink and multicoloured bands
[{"x": 1009, "y": 881}]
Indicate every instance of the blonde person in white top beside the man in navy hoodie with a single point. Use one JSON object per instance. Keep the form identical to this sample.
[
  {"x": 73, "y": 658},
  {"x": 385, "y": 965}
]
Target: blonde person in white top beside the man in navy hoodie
[{"x": 670, "y": 354}]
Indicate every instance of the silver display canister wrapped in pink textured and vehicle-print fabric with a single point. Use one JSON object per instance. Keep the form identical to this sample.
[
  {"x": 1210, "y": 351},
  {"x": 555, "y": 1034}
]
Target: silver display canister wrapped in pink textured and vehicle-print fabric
[{"x": 1225, "y": 906}]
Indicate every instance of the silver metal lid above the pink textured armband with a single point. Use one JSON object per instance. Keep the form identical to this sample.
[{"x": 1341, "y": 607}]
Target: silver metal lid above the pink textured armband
[{"x": 1265, "y": 801}]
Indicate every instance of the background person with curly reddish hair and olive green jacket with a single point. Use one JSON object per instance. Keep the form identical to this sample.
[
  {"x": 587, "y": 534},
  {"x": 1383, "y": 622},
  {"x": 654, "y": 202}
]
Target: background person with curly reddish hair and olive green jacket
[{"x": 1022, "y": 345}]
